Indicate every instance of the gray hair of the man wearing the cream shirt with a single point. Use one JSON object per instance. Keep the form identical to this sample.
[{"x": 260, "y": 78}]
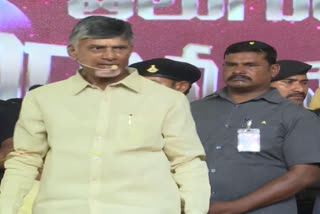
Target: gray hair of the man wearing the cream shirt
[{"x": 100, "y": 27}]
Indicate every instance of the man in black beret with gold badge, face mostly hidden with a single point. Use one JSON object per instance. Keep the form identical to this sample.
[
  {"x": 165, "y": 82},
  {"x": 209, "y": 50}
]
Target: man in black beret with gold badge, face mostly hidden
[{"x": 174, "y": 74}]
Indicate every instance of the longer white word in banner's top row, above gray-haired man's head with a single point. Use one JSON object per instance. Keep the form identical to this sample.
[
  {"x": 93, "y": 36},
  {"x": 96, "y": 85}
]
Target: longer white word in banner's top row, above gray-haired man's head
[{"x": 146, "y": 9}]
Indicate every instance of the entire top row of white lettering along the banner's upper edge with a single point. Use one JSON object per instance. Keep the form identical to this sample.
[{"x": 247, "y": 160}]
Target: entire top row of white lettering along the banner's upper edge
[{"x": 189, "y": 9}]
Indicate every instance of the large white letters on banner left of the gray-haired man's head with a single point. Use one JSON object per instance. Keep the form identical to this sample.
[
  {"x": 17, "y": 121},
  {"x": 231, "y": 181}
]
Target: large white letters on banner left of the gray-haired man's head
[{"x": 11, "y": 63}]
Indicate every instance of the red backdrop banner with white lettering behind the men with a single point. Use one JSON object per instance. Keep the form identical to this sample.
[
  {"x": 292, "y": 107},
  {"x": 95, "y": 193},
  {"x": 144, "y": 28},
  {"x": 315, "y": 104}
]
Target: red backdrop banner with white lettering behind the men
[{"x": 34, "y": 34}]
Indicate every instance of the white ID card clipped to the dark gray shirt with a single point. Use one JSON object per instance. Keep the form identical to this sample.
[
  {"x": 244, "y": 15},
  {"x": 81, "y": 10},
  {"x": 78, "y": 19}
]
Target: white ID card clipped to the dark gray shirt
[{"x": 248, "y": 140}]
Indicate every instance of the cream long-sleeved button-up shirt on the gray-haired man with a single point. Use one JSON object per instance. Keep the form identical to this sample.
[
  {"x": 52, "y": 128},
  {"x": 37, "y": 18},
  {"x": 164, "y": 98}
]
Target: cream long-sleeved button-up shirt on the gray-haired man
[{"x": 107, "y": 152}]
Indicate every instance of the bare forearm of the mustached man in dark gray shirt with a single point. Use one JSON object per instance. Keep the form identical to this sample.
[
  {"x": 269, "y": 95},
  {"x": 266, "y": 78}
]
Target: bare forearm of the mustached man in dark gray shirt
[{"x": 297, "y": 178}]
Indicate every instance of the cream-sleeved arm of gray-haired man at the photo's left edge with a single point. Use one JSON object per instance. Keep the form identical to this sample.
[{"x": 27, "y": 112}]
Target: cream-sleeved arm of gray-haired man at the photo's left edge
[{"x": 30, "y": 146}]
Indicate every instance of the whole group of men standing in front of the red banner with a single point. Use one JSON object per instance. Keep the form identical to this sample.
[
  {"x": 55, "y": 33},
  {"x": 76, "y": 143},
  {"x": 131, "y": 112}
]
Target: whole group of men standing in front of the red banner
[{"x": 119, "y": 138}]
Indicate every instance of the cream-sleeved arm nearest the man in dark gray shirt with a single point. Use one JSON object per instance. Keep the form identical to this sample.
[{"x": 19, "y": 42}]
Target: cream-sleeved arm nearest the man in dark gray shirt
[{"x": 186, "y": 155}]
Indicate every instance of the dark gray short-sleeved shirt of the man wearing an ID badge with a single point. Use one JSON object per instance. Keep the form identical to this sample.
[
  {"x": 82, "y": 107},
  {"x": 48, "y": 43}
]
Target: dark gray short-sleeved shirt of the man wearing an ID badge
[{"x": 289, "y": 135}]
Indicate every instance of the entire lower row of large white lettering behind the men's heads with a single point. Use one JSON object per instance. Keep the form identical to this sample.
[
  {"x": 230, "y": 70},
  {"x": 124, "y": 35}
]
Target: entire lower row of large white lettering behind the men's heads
[{"x": 40, "y": 55}]
